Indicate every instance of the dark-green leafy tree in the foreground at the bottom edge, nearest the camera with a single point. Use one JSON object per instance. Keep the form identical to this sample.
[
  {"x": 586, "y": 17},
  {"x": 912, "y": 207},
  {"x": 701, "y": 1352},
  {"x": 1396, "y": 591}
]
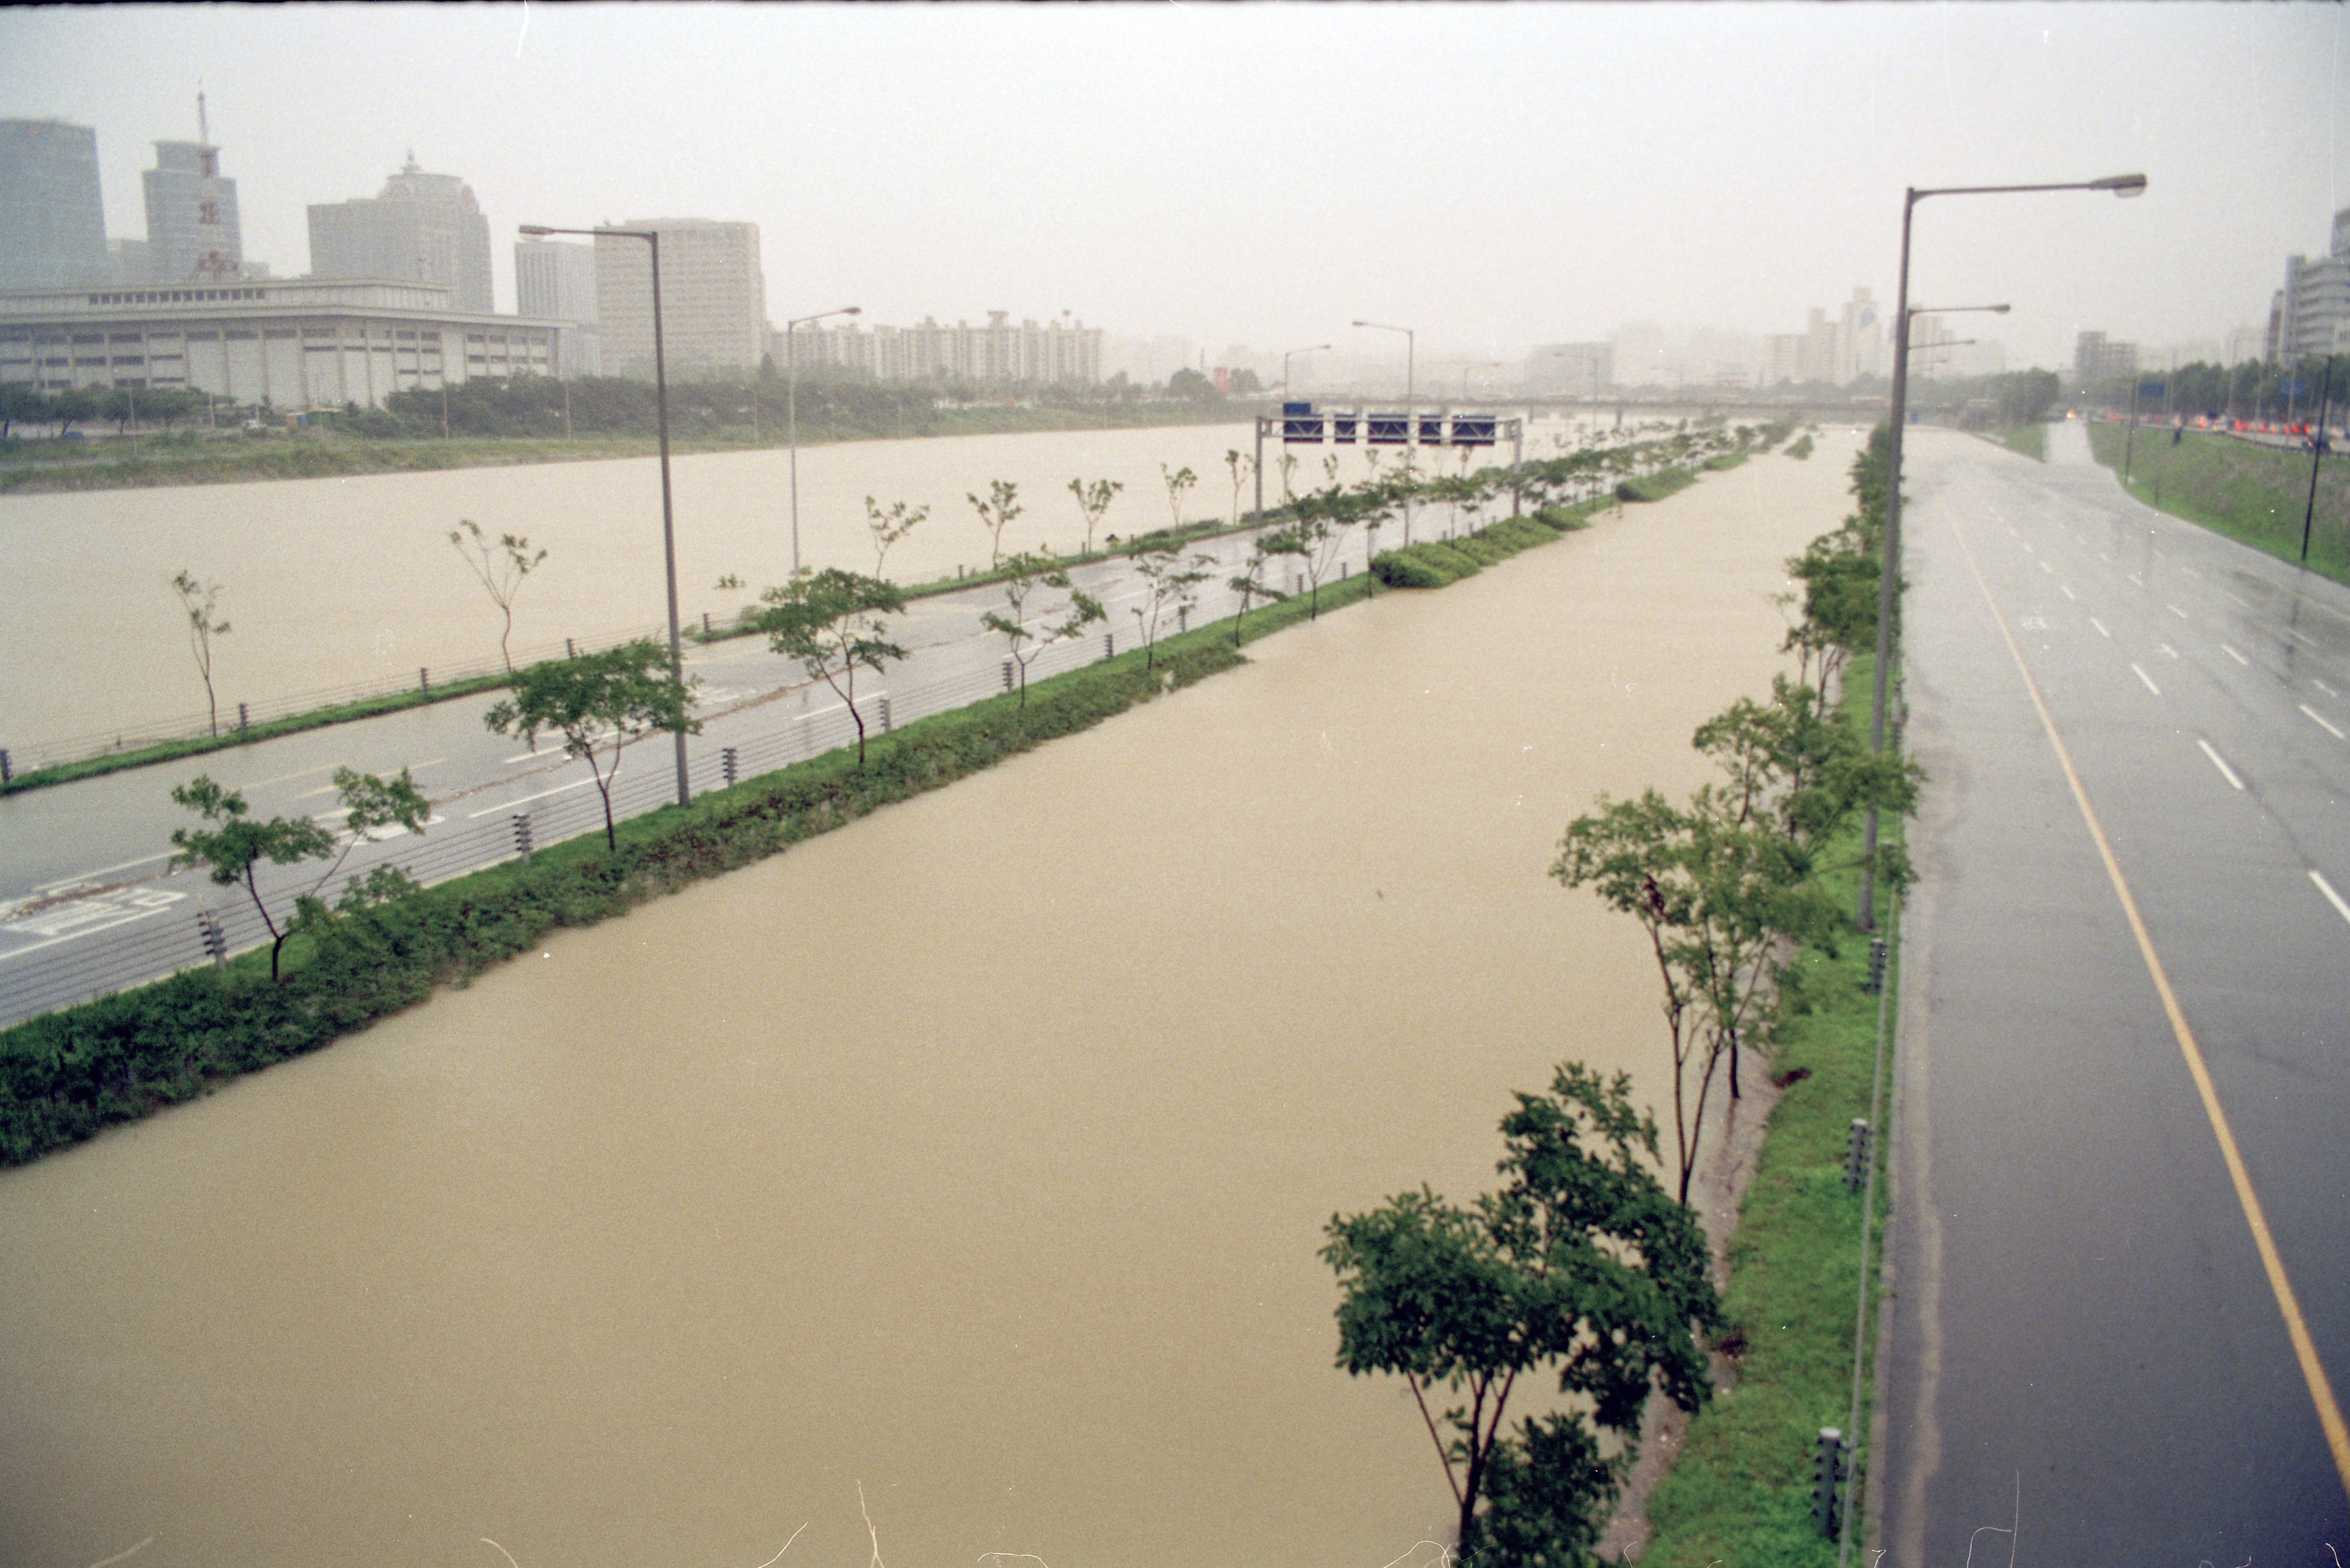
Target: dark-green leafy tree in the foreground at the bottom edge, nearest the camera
[{"x": 1583, "y": 1266}]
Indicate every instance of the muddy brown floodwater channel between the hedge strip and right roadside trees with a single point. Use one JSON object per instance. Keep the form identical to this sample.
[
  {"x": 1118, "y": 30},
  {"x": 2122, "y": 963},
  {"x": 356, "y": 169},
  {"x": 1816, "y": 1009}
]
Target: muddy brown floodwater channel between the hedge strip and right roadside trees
[{"x": 974, "y": 1155}]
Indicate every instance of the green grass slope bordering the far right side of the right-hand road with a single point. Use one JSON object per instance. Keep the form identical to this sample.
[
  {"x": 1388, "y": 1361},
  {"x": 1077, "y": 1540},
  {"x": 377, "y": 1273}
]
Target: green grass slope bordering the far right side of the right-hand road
[{"x": 2252, "y": 495}]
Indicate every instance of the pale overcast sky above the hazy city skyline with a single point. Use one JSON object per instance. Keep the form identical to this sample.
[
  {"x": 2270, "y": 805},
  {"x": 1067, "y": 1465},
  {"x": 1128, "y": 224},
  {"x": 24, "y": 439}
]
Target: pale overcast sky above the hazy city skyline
[{"x": 1263, "y": 175}]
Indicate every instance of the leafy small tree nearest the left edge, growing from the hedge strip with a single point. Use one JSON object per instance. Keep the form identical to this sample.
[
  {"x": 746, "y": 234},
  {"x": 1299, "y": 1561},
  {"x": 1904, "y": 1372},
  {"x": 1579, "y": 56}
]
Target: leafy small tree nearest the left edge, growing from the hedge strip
[{"x": 236, "y": 845}]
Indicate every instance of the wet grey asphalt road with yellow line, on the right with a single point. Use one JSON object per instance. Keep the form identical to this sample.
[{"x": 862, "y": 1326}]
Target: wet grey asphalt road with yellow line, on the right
[{"x": 2086, "y": 1343}]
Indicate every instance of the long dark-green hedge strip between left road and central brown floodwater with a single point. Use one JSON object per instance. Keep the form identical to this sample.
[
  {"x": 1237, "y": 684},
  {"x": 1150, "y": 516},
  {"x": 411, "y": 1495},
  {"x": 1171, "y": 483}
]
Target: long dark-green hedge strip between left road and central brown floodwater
[{"x": 74, "y": 1073}]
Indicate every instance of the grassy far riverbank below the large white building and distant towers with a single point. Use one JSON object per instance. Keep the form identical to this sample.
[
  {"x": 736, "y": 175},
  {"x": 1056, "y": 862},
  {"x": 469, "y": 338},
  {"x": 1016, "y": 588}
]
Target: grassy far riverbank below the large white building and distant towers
[{"x": 321, "y": 455}]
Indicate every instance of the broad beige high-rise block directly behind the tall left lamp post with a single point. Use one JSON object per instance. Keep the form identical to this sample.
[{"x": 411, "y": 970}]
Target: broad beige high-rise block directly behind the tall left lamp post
[{"x": 713, "y": 297}]
